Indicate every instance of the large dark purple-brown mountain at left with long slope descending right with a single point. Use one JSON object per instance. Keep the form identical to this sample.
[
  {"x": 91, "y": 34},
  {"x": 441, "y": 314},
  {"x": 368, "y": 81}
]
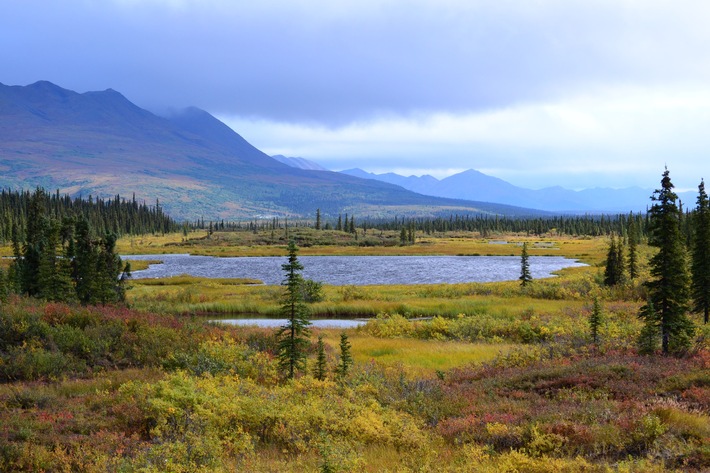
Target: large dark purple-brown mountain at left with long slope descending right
[{"x": 99, "y": 143}]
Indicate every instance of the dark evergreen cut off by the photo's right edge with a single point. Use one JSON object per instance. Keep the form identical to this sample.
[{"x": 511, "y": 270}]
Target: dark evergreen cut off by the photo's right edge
[{"x": 701, "y": 255}]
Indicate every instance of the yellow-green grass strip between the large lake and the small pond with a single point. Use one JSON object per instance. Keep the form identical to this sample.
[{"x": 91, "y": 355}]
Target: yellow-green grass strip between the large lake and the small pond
[{"x": 187, "y": 294}]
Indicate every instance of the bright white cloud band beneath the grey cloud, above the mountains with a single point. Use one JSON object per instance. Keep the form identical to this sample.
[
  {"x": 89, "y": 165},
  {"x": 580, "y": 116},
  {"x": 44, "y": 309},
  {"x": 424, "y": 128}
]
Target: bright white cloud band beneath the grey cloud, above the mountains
[{"x": 618, "y": 137}]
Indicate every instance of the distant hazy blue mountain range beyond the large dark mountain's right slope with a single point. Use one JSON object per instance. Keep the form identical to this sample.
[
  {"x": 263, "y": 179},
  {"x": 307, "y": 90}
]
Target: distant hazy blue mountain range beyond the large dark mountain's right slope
[{"x": 474, "y": 185}]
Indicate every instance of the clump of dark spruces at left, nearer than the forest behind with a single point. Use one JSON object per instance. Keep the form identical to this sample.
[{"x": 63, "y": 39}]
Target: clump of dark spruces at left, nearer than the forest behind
[{"x": 59, "y": 256}]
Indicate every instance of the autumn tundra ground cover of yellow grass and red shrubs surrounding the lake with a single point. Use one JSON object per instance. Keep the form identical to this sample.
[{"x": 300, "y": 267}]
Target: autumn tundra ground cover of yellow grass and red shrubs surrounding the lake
[{"x": 560, "y": 375}]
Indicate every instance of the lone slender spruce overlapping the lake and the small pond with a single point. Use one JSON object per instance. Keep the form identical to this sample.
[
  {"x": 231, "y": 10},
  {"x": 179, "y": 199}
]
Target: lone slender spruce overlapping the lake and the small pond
[{"x": 293, "y": 341}]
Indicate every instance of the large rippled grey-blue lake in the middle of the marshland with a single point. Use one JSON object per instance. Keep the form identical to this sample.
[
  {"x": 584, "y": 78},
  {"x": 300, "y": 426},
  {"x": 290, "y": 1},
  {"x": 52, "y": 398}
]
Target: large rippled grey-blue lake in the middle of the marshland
[{"x": 357, "y": 270}]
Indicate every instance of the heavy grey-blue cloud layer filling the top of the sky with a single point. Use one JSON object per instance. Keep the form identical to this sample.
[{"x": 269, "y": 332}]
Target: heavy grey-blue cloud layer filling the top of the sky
[{"x": 336, "y": 62}]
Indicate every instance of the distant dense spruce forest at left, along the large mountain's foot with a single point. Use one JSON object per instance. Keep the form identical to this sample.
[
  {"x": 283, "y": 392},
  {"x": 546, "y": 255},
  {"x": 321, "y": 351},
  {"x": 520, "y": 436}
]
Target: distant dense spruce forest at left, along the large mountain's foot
[{"x": 116, "y": 216}]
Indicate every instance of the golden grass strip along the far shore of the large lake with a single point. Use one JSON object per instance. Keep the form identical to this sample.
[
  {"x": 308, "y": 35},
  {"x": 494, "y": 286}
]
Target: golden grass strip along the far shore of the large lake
[{"x": 331, "y": 242}]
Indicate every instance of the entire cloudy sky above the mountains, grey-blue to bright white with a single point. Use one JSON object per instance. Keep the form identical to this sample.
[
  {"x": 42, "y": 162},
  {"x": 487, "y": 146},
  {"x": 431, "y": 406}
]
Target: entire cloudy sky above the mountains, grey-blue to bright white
[{"x": 580, "y": 94}]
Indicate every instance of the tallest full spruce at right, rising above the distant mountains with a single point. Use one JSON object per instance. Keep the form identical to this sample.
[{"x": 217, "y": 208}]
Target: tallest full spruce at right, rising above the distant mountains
[{"x": 669, "y": 286}]
